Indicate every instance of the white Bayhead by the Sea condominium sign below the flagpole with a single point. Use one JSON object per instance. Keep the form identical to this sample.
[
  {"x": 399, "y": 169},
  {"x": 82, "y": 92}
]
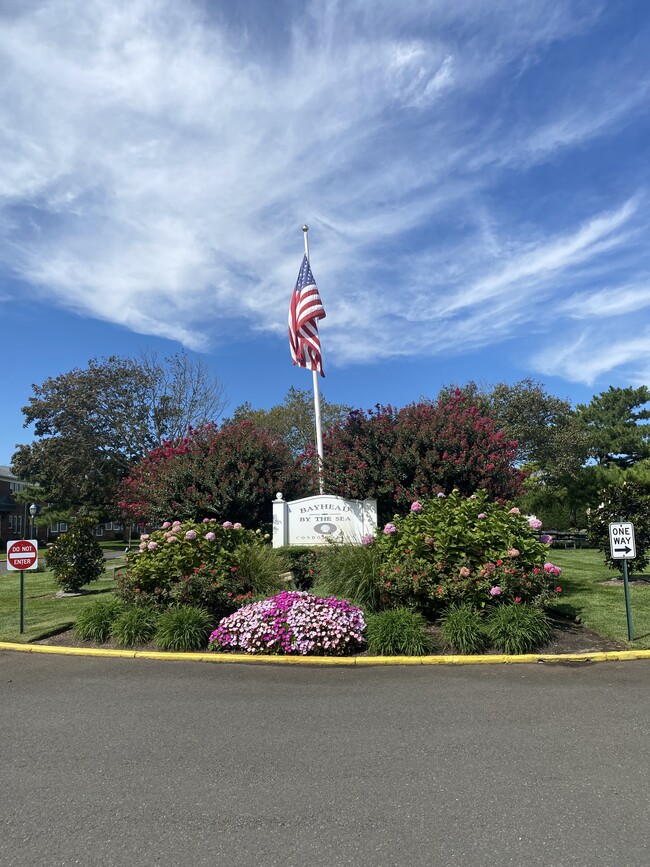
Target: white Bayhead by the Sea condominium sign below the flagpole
[{"x": 315, "y": 520}]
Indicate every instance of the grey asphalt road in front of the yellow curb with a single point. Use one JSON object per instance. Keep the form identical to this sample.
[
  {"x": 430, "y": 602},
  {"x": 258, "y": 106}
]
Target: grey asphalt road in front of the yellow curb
[{"x": 124, "y": 762}]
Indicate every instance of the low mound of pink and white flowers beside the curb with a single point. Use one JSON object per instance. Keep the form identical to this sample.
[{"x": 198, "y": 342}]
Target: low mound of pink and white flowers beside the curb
[{"x": 293, "y": 622}]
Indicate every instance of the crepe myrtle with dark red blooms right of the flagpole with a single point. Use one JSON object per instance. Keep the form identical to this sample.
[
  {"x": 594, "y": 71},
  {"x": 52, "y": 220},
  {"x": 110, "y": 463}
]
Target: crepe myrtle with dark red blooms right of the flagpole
[{"x": 401, "y": 455}]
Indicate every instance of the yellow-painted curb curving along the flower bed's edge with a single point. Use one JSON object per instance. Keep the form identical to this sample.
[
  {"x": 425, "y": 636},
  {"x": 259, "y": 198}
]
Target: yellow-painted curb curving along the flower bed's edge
[{"x": 493, "y": 659}]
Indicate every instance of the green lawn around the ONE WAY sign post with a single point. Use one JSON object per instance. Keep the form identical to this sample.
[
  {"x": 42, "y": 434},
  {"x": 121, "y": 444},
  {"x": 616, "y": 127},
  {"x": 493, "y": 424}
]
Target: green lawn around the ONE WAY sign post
[{"x": 600, "y": 607}]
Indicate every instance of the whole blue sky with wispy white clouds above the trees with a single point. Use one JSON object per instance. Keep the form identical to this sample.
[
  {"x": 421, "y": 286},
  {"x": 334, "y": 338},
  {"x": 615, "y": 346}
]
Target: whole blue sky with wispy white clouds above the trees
[{"x": 475, "y": 176}]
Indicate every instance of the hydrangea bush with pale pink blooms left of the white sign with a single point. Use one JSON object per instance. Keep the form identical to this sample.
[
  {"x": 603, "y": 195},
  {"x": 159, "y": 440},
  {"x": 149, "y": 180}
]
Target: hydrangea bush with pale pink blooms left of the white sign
[{"x": 197, "y": 563}]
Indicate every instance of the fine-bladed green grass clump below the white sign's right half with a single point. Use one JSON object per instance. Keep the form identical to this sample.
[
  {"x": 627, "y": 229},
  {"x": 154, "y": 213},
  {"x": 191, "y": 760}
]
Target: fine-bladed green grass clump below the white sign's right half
[{"x": 350, "y": 572}]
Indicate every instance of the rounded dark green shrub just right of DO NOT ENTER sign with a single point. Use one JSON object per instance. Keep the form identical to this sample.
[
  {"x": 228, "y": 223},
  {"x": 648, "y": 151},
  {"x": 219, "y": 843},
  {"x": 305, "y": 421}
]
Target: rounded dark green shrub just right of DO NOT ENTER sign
[{"x": 76, "y": 557}]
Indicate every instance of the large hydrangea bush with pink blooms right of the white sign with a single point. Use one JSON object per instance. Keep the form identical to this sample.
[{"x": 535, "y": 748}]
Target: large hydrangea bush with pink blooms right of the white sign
[{"x": 455, "y": 549}]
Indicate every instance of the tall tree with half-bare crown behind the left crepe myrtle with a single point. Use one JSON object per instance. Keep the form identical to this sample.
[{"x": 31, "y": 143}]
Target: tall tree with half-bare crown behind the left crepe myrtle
[{"x": 91, "y": 424}]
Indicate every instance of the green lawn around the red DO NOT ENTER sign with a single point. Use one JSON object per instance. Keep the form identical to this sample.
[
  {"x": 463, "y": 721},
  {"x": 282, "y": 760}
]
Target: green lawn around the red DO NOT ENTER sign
[{"x": 44, "y": 614}]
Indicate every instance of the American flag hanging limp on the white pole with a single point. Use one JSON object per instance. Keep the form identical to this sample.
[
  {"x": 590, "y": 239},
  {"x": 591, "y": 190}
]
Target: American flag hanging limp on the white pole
[{"x": 304, "y": 312}]
